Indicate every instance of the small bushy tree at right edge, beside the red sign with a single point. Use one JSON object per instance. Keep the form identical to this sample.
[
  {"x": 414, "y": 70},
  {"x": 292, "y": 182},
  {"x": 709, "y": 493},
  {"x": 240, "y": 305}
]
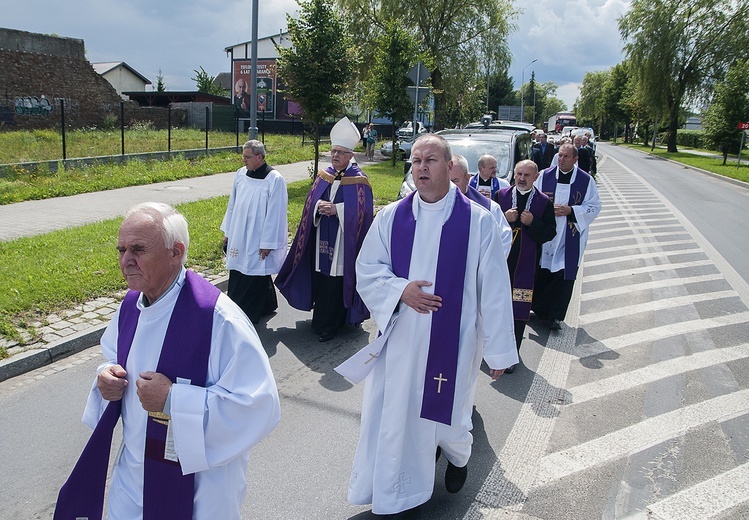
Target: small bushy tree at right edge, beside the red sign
[{"x": 729, "y": 107}]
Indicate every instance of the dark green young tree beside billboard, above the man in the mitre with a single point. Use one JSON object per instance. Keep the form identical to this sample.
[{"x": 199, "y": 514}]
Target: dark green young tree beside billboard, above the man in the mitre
[{"x": 319, "y": 66}]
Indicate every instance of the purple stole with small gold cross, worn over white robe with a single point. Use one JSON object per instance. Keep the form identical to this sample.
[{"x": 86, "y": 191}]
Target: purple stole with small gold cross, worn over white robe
[{"x": 444, "y": 338}]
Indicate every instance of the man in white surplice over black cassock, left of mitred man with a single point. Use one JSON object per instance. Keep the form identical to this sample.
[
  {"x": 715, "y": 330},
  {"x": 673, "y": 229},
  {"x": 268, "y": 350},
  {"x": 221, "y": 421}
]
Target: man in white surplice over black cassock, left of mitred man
[{"x": 256, "y": 233}]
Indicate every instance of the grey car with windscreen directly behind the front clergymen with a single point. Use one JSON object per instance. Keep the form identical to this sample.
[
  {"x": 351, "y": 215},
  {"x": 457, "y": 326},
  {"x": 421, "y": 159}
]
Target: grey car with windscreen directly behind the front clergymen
[{"x": 507, "y": 146}]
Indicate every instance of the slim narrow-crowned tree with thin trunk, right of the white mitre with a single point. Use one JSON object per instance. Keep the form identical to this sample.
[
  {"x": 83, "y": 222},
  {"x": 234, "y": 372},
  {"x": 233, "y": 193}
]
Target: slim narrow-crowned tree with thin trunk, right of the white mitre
[{"x": 387, "y": 87}]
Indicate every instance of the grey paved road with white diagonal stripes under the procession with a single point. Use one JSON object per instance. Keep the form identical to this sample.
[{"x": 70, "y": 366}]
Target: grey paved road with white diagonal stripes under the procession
[{"x": 638, "y": 408}]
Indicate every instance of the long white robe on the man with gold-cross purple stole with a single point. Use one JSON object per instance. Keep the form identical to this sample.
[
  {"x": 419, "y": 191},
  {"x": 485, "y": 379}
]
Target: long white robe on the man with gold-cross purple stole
[{"x": 394, "y": 464}]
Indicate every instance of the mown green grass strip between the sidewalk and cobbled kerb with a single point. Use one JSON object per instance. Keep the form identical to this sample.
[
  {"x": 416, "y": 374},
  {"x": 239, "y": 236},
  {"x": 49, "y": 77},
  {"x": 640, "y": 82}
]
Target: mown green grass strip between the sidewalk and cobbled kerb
[{"x": 58, "y": 270}]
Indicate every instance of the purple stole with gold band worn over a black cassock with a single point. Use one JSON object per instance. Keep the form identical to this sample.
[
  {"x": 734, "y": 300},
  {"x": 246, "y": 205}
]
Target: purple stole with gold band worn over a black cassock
[{"x": 524, "y": 277}]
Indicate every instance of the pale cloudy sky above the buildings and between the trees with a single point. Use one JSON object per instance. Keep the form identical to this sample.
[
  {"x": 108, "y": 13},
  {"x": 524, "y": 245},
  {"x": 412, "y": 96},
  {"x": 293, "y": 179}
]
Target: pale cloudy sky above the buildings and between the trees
[{"x": 568, "y": 37}]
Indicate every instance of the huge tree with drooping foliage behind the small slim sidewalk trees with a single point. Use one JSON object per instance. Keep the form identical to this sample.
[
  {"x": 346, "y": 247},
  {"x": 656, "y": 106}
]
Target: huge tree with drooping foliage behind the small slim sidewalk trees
[{"x": 456, "y": 39}]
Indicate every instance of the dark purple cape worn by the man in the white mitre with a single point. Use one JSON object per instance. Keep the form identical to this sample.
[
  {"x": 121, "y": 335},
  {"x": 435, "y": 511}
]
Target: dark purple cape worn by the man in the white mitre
[{"x": 294, "y": 279}]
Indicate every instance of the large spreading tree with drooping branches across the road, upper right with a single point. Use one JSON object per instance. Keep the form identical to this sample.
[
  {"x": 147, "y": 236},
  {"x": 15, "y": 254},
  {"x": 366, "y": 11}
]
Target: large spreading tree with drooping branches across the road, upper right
[{"x": 678, "y": 49}]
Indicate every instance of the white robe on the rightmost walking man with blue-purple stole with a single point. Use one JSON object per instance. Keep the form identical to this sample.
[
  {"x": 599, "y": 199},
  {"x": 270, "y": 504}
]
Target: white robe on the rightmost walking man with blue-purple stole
[{"x": 552, "y": 252}]
